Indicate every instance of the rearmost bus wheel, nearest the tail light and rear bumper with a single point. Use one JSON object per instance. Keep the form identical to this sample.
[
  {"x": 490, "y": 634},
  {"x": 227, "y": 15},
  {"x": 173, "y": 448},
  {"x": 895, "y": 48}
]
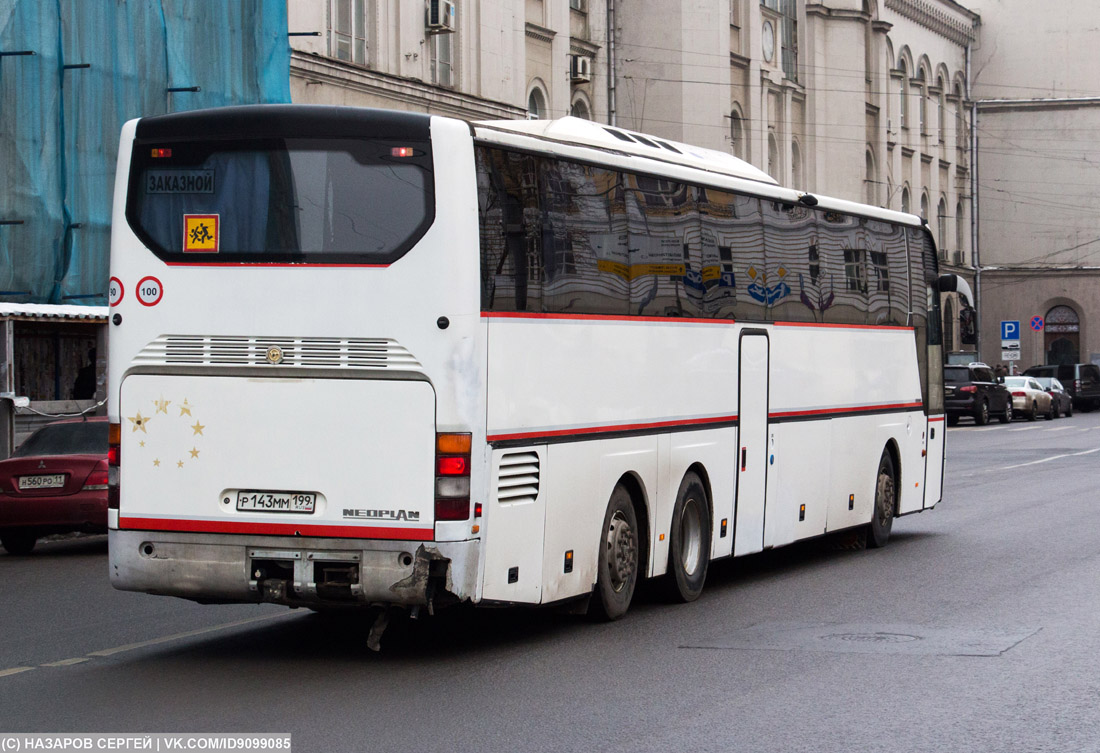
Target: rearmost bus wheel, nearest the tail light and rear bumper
[{"x": 619, "y": 561}]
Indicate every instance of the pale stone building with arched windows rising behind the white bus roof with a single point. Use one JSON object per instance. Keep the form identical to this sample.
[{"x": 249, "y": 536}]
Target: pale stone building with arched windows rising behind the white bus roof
[{"x": 861, "y": 99}]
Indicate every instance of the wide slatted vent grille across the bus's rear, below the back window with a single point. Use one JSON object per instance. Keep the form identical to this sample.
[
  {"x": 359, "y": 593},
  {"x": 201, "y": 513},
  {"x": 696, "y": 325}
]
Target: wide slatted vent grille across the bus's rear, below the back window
[{"x": 296, "y": 352}]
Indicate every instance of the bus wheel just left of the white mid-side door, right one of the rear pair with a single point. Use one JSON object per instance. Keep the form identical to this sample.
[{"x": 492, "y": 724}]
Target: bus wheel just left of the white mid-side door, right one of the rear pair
[{"x": 690, "y": 541}]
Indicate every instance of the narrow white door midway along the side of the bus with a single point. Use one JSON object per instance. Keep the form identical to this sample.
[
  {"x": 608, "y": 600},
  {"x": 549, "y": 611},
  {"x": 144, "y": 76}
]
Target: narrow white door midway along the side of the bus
[{"x": 753, "y": 442}]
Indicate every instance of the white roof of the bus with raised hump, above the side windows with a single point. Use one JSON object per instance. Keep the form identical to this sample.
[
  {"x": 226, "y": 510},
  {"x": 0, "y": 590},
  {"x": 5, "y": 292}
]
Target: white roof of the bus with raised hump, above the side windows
[{"x": 570, "y": 137}]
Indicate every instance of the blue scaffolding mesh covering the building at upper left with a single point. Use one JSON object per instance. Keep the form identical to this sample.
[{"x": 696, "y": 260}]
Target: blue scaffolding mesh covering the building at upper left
[{"x": 72, "y": 73}]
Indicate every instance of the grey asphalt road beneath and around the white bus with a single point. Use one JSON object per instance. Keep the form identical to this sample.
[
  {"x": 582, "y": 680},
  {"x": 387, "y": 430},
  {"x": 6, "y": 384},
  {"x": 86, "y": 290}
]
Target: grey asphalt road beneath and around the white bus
[{"x": 977, "y": 629}]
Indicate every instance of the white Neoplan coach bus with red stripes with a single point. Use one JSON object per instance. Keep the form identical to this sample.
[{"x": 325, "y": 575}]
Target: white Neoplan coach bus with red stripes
[{"x": 371, "y": 358}]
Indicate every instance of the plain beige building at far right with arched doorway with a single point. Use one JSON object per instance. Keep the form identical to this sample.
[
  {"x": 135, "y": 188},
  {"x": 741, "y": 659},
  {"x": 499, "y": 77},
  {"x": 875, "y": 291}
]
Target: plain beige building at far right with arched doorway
[{"x": 1039, "y": 116}]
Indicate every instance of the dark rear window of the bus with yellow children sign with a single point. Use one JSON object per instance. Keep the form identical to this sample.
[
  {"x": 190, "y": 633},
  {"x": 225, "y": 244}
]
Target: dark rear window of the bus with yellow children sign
[{"x": 281, "y": 201}]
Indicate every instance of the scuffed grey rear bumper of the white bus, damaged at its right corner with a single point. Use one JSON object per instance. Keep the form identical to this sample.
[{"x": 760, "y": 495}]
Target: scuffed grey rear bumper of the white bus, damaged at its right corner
[{"x": 293, "y": 571}]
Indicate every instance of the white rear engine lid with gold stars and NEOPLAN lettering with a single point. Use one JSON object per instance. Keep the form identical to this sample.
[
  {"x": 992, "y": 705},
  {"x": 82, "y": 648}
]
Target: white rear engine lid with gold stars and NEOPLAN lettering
[{"x": 365, "y": 447}]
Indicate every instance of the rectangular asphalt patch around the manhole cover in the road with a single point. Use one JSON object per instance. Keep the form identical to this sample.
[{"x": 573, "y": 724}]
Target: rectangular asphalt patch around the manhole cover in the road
[{"x": 870, "y": 639}]
